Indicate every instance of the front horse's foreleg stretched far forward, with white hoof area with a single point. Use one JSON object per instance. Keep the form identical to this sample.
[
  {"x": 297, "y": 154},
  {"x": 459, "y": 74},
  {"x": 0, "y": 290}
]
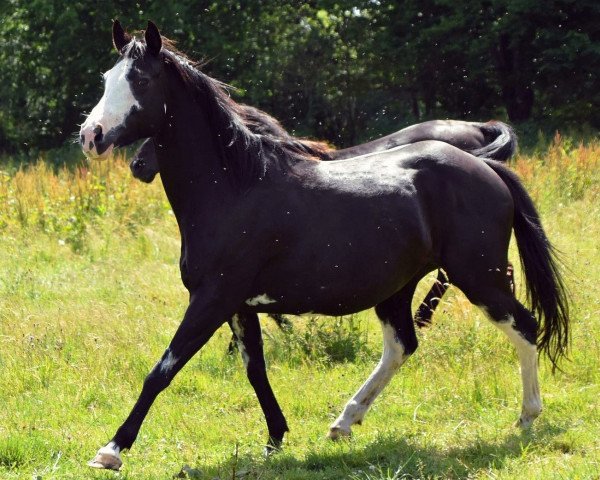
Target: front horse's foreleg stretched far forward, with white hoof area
[{"x": 204, "y": 315}]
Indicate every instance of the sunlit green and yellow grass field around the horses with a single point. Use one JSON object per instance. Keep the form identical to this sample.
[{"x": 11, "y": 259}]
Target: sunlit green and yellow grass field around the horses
[{"x": 90, "y": 296}]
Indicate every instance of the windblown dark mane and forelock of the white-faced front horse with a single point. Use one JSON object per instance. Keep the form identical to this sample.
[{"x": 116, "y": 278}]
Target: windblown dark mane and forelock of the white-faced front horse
[{"x": 249, "y": 138}]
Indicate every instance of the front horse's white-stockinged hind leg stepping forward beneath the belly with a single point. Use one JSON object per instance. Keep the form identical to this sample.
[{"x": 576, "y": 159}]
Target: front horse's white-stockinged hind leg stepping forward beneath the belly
[{"x": 399, "y": 342}]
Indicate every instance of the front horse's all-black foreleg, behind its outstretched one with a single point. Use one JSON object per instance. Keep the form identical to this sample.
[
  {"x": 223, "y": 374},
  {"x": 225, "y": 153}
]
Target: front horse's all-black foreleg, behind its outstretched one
[{"x": 246, "y": 328}]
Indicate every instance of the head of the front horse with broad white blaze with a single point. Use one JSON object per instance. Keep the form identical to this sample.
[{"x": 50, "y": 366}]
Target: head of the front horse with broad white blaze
[{"x": 133, "y": 105}]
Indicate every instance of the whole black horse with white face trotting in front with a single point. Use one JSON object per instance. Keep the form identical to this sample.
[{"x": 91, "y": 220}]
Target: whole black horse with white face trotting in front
[{"x": 267, "y": 228}]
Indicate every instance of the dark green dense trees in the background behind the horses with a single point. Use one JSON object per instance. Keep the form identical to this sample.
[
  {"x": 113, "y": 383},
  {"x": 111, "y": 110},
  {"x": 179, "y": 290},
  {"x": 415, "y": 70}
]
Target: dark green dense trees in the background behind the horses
[{"x": 343, "y": 70}]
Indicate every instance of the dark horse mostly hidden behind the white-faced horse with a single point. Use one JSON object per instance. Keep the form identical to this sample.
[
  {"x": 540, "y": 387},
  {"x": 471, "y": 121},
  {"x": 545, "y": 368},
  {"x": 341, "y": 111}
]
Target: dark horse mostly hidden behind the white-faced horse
[{"x": 495, "y": 140}]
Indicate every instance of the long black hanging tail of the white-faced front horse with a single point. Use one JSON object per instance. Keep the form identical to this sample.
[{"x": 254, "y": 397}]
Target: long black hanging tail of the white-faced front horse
[{"x": 546, "y": 292}]
